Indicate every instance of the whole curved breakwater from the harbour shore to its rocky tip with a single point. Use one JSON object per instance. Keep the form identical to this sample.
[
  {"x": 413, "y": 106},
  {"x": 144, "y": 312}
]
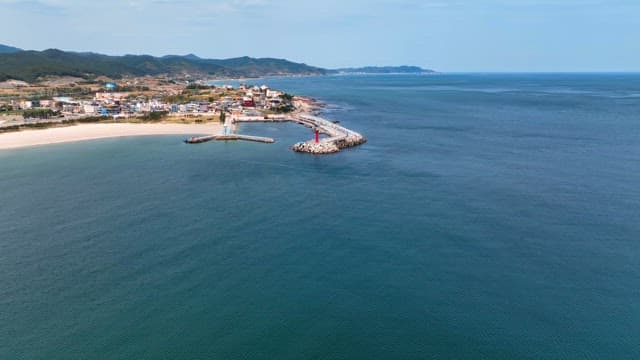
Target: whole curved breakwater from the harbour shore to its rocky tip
[{"x": 338, "y": 137}]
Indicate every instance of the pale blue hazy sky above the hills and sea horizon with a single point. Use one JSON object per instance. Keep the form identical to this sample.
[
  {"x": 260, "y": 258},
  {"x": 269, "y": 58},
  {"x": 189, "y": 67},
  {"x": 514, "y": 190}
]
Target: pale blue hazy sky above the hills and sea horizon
[{"x": 445, "y": 35}]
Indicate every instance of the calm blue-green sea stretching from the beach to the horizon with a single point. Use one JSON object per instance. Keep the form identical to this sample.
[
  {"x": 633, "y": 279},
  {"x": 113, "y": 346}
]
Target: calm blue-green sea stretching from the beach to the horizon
[{"x": 489, "y": 216}]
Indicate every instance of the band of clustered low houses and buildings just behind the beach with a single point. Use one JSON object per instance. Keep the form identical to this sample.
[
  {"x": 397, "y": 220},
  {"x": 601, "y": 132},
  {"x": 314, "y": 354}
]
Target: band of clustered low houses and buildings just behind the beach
[{"x": 108, "y": 103}]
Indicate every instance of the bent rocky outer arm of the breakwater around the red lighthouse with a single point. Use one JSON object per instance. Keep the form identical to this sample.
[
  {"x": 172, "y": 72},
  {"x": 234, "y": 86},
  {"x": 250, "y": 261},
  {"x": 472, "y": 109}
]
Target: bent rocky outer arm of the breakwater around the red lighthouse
[{"x": 339, "y": 137}]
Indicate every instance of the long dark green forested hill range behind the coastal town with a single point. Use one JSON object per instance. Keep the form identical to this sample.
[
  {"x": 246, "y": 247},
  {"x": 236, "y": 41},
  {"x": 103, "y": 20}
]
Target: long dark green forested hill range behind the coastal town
[{"x": 31, "y": 66}]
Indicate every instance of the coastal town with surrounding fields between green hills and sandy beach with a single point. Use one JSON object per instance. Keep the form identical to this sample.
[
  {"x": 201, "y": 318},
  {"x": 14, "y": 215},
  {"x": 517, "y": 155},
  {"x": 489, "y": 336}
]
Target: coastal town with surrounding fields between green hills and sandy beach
[{"x": 131, "y": 100}]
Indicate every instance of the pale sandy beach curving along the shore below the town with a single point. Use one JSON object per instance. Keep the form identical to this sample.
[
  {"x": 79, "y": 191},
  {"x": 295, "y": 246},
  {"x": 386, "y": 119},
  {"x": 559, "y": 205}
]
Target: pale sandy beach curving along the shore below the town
[{"x": 82, "y": 132}]
